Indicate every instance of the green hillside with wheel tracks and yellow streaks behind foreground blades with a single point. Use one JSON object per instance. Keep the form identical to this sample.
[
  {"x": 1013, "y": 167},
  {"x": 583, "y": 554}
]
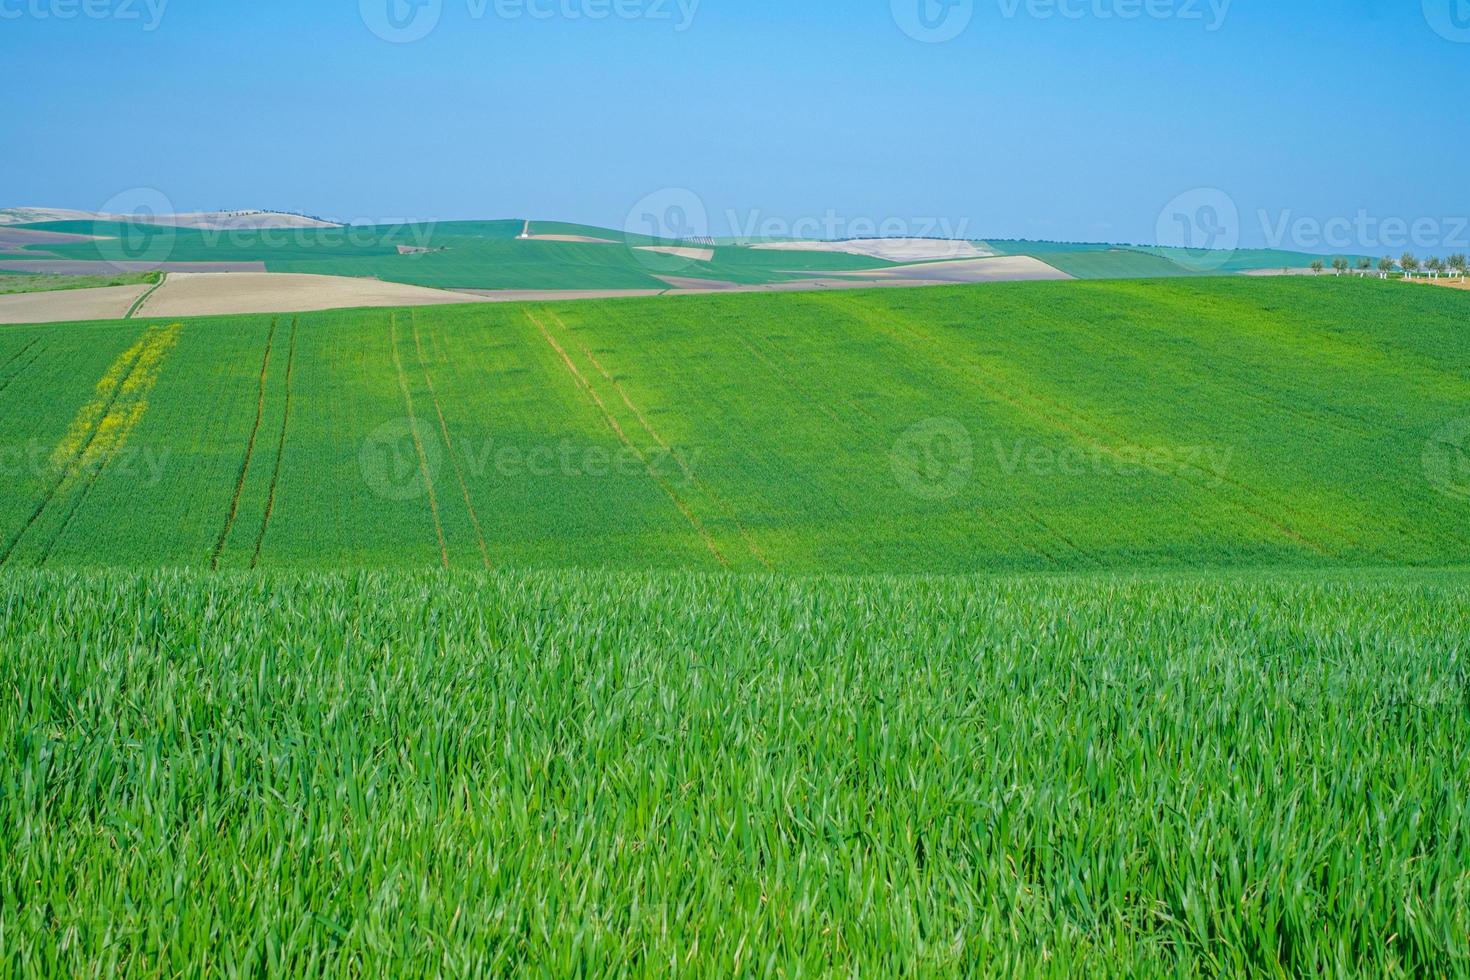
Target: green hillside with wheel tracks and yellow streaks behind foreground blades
[{"x": 1017, "y": 427}]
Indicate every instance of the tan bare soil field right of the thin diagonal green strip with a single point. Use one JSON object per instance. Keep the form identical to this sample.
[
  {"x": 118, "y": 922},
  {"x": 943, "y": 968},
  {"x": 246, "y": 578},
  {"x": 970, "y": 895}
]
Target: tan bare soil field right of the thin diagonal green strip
[{"x": 208, "y": 295}]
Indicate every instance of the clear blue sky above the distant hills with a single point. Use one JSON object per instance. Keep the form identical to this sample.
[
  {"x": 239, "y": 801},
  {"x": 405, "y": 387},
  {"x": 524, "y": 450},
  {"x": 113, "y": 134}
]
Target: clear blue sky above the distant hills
[{"x": 1064, "y": 120}]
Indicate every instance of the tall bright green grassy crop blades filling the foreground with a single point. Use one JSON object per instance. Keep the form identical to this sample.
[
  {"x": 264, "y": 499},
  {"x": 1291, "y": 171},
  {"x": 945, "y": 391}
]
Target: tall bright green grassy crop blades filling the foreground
[{"x": 565, "y": 774}]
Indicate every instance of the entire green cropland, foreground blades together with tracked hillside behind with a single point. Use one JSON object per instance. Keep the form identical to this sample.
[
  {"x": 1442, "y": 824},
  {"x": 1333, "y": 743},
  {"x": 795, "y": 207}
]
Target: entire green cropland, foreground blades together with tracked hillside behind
[{"x": 1024, "y": 630}]
